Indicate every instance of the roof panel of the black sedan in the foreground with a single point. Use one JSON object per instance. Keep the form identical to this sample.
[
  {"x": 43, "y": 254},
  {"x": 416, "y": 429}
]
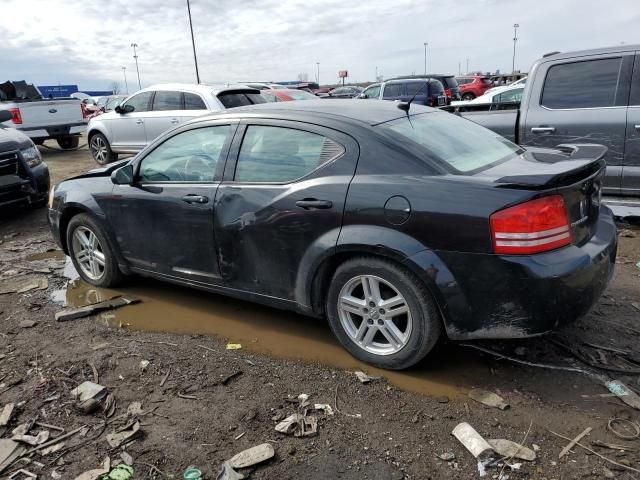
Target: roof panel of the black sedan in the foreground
[{"x": 350, "y": 110}]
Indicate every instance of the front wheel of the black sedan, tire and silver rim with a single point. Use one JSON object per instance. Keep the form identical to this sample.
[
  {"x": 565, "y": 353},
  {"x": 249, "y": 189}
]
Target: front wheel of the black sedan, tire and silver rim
[{"x": 91, "y": 253}]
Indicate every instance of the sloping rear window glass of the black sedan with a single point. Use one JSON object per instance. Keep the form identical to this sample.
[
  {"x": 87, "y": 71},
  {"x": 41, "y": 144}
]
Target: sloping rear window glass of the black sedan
[{"x": 462, "y": 144}]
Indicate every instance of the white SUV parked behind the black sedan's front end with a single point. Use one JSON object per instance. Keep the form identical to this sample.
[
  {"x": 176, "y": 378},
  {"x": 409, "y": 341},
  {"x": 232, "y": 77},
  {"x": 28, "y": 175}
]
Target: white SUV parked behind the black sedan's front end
[{"x": 146, "y": 114}]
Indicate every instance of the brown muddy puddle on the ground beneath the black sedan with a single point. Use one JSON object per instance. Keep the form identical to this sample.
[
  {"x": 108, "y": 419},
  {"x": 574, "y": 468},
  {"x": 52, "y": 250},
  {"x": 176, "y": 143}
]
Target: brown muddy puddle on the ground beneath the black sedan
[{"x": 448, "y": 371}]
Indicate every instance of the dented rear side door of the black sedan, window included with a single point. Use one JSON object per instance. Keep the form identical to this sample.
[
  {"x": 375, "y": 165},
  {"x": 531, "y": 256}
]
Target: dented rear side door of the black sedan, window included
[{"x": 282, "y": 198}]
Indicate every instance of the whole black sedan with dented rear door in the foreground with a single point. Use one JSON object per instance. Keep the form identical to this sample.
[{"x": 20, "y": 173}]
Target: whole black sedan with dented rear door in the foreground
[{"x": 396, "y": 225}]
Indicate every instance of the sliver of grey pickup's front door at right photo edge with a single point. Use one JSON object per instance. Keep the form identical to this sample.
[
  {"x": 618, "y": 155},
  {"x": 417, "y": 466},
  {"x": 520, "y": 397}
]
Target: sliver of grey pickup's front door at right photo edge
[{"x": 631, "y": 167}]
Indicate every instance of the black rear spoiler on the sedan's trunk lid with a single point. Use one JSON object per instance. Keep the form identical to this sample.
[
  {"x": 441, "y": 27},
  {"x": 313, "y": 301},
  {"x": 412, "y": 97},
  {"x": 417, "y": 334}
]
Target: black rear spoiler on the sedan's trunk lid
[{"x": 582, "y": 161}]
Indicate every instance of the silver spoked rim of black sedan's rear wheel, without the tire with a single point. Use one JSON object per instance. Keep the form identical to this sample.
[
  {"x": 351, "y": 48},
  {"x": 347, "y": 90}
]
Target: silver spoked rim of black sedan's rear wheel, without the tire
[{"x": 375, "y": 315}]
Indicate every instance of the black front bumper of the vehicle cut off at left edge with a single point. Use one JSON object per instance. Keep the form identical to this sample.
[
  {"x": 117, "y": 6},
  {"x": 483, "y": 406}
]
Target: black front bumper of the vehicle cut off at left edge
[{"x": 15, "y": 189}]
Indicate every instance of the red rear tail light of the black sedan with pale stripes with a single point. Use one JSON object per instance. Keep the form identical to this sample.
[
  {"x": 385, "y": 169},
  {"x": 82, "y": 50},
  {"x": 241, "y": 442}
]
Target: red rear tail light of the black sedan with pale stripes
[{"x": 535, "y": 226}]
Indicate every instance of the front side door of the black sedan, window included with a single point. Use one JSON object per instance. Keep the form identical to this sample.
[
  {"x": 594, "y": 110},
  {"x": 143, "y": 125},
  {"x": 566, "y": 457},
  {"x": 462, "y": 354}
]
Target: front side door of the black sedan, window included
[{"x": 163, "y": 221}]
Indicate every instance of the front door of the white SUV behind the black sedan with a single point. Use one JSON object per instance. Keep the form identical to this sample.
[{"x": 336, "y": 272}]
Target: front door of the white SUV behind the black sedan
[{"x": 128, "y": 129}]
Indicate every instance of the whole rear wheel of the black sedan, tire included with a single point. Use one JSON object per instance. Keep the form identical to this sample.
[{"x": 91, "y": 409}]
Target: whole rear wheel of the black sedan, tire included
[{"x": 415, "y": 333}]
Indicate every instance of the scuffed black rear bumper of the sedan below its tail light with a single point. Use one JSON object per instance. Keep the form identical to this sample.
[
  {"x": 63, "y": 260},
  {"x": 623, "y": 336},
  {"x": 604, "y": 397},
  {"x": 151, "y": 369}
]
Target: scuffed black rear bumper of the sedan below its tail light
[{"x": 493, "y": 297}]
